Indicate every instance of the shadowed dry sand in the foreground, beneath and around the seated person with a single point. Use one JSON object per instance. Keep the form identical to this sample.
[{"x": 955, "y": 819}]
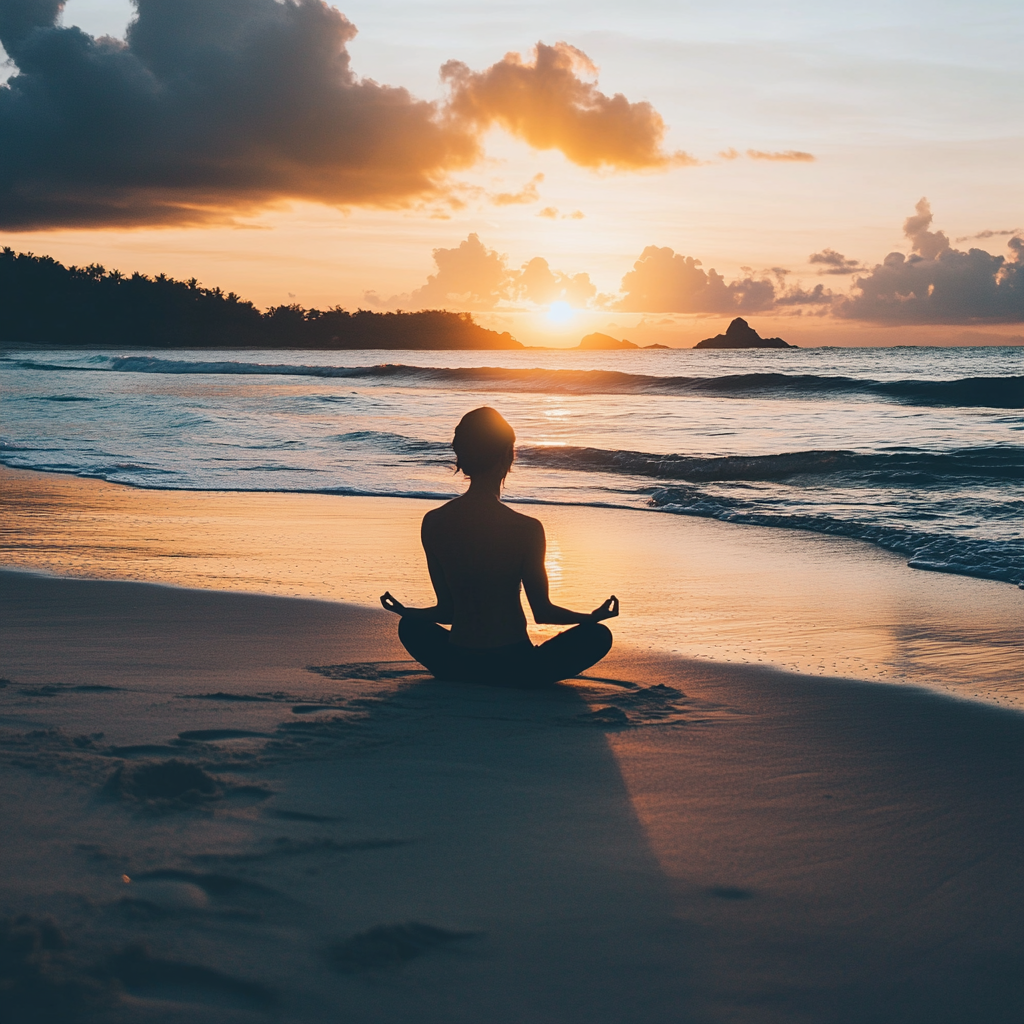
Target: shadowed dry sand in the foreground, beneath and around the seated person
[{"x": 241, "y": 807}]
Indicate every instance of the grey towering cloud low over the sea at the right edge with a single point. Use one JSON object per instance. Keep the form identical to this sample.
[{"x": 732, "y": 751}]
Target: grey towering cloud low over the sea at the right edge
[{"x": 938, "y": 284}]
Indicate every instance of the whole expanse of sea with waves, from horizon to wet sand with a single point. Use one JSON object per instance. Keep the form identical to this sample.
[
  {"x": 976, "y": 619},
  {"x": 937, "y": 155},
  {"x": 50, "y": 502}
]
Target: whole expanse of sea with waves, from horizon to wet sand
[{"x": 919, "y": 451}]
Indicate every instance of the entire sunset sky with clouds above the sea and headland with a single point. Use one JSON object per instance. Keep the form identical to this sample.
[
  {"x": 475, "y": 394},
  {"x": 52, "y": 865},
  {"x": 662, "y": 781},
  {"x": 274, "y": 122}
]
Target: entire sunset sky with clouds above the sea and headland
[{"x": 836, "y": 175}]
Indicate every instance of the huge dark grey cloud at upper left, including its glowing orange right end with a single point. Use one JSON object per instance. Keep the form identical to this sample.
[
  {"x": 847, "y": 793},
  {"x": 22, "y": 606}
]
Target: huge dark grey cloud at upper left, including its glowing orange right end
[{"x": 210, "y": 108}]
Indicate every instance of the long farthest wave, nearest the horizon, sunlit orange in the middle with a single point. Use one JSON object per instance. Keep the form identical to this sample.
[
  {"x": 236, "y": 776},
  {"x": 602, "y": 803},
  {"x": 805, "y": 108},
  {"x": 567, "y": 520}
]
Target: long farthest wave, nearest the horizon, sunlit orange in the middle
[{"x": 991, "y": 393}]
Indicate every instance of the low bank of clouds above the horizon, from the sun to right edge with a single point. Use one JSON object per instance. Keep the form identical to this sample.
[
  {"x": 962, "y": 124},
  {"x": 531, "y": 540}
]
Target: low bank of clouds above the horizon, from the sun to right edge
[{"x": 936, "y": 284}]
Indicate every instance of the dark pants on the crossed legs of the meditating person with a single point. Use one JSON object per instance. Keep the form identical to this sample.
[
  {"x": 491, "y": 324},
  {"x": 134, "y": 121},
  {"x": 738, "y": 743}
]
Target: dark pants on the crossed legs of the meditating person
[{"x": 519, "y": 665}]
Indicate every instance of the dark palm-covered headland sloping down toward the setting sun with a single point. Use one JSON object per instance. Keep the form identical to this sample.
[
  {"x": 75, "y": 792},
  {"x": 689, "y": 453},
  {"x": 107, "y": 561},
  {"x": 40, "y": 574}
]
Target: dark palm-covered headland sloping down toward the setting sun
[{"x": 44, "y": 303}]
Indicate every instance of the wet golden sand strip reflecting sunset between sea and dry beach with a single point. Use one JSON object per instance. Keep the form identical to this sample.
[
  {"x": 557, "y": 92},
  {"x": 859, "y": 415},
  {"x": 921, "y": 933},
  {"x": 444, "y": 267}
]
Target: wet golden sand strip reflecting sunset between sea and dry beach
[{"x": 700, "y": 588}]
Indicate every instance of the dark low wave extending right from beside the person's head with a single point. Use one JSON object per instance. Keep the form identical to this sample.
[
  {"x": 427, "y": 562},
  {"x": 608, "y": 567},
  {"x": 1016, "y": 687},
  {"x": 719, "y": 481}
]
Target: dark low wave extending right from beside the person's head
[{"x": 909, "y": 467}]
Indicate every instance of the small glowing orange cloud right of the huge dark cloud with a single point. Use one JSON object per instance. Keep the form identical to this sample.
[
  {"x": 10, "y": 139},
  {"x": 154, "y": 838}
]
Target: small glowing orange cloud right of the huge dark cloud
[{"x": 547, "y": 104}]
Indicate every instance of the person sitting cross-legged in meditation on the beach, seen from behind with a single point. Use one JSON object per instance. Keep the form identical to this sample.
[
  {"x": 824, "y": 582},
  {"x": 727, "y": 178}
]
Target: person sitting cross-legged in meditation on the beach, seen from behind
[{"x": 480, "y": 553}]
